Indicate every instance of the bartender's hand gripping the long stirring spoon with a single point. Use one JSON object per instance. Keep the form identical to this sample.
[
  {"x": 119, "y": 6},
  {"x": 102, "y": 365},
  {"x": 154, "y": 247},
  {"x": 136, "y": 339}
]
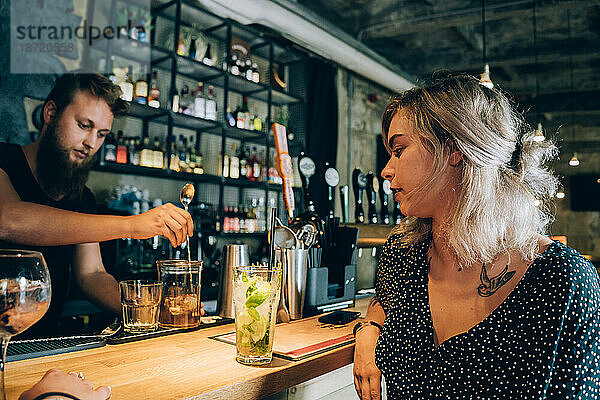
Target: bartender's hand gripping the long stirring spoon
[{"x": 167, "y": 220}]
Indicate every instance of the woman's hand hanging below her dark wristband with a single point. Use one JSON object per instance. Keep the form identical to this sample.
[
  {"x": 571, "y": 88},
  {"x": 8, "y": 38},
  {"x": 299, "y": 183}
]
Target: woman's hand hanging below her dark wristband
[{"x": 367, "y": 377}]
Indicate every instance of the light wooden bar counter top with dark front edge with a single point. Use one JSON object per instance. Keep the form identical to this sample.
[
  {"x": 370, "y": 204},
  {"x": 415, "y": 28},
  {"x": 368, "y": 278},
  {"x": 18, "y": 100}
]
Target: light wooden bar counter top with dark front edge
[{"x": 182, "y": 366}]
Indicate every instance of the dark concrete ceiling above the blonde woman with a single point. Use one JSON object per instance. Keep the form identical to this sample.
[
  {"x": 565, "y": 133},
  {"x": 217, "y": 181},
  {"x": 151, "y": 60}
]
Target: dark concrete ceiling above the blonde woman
[{"x": 425, "y": 36}]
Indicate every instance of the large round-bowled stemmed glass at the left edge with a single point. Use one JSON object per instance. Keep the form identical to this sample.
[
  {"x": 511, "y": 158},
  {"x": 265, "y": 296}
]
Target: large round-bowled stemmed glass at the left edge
[{"x": 24, "y": 295}]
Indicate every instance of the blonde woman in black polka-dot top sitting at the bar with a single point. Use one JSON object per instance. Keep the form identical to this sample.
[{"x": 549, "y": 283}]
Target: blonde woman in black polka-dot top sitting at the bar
[{"x": 472, "y": 300}]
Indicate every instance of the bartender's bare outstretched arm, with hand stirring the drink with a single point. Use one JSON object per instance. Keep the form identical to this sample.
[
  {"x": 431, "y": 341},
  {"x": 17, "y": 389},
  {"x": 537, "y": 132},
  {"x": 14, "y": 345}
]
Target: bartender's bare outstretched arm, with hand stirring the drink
[{"x": 38, "y": 225}]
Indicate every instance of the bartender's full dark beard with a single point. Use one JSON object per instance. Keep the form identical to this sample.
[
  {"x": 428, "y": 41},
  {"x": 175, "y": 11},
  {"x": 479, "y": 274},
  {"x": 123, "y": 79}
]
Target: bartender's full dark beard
[{"x": 57, "y": 174}]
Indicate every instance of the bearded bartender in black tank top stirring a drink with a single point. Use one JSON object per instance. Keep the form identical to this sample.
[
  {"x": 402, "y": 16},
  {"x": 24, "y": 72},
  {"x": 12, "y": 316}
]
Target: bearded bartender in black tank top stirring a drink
[{"x": 45, "y": 205}]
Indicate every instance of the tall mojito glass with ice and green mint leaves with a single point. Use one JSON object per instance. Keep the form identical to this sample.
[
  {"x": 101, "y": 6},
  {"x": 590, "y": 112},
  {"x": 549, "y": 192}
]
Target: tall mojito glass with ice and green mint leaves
[{"x": 255, "y": 301}]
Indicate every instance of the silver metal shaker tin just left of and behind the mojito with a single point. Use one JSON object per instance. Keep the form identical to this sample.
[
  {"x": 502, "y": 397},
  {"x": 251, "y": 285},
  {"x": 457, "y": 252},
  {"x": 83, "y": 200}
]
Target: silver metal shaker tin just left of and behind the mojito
[{"x": 233, "y": 255}]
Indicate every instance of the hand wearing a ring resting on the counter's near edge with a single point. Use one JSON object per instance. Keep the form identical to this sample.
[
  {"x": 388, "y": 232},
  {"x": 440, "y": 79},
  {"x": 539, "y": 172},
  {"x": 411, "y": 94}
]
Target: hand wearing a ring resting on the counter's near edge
[{"x": 57, "y": 381}]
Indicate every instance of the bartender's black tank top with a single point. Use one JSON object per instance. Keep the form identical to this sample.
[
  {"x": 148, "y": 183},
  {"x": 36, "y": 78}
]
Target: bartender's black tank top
[{"x": 58, "y": 258}]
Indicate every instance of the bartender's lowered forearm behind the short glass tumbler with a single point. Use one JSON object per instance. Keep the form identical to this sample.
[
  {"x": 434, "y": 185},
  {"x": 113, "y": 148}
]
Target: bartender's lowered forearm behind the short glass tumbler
[{"x": 98, "y": 285}]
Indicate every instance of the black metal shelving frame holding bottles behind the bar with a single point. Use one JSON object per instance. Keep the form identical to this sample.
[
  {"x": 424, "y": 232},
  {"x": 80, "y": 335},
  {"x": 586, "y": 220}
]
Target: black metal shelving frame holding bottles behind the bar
[{"x": 163, "y": 57}]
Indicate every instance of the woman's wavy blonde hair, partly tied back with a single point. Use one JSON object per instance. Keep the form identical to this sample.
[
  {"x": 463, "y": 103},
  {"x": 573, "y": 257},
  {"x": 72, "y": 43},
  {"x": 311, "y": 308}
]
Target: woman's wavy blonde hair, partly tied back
[{"x": 506, "y": 188}]
